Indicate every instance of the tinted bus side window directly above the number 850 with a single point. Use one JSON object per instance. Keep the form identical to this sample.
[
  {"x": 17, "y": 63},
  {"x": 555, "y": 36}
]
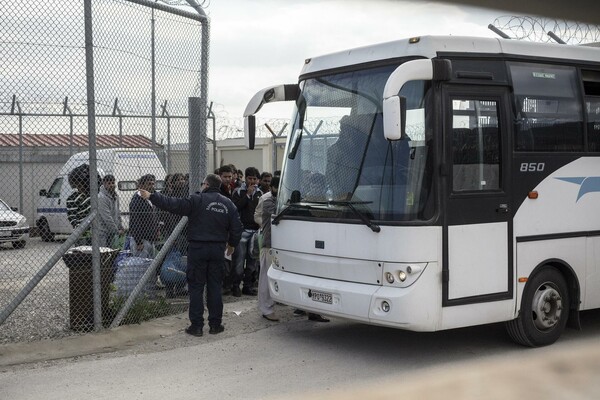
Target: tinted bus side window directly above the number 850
[{"x": 549, "y": 112}]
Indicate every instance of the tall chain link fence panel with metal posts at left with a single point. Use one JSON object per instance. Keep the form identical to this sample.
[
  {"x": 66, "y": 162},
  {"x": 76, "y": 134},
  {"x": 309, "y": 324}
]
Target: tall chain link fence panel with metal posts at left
[{"x": 63, "y": 271}]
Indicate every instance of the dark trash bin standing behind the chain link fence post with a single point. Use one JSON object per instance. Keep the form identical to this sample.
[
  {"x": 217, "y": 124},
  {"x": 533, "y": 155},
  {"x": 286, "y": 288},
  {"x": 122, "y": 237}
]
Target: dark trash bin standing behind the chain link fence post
[{"x": 81, "y": 295}]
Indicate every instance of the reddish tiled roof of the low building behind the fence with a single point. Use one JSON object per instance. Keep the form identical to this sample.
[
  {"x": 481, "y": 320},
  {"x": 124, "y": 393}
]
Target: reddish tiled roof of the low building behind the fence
[{"x": 47, "y": 140}]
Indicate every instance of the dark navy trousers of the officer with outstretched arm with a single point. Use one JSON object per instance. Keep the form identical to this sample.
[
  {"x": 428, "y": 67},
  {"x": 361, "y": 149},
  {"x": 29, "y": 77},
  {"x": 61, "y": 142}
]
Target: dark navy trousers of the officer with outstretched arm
[{"x": 205, "y": 267}]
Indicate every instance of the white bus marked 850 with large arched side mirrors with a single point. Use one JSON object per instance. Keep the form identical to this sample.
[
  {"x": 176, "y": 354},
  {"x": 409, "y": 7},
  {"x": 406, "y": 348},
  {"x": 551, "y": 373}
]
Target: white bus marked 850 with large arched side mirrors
[{"x": 442, "y": 182}]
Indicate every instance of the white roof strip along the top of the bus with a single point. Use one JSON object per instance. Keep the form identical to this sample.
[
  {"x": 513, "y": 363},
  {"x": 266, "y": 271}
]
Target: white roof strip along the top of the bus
[{"x": 430, "y": 46}]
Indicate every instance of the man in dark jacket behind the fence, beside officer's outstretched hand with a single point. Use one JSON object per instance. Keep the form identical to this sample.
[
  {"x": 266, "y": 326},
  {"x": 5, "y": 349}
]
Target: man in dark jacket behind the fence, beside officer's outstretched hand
[{"x": 143, "y": 220}]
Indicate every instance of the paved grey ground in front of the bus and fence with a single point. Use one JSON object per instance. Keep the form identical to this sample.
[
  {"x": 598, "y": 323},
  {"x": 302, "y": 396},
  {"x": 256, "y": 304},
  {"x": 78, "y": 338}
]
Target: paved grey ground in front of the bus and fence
[{"x": 301, "y": 353}]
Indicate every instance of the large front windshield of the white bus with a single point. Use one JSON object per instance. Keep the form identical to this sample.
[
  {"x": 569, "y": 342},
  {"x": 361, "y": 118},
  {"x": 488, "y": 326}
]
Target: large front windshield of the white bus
[{"x": 338, "y": 164}]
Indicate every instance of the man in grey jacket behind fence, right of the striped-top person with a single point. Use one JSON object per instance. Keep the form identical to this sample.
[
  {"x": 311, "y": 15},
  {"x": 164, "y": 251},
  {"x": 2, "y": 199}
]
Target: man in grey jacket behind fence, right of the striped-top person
[{"x": 109, "y": 212}]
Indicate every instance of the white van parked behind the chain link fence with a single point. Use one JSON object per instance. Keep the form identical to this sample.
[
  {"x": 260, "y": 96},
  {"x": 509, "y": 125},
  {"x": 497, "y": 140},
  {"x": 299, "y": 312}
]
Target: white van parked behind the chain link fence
[{"x": 126, "y": 164}]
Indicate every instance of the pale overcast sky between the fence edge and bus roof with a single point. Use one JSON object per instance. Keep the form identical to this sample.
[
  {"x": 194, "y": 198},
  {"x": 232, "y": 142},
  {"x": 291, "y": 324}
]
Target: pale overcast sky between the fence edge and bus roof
[{"x": 259, "y": 43}]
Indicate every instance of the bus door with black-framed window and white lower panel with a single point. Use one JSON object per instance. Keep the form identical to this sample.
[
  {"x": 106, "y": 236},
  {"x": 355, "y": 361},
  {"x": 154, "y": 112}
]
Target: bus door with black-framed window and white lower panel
[{"x": 477, "y": 261}]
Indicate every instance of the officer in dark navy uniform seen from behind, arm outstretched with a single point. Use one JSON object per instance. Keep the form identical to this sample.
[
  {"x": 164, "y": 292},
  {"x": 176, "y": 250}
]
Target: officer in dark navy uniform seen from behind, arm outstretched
[{"x": 214, "y": 228}]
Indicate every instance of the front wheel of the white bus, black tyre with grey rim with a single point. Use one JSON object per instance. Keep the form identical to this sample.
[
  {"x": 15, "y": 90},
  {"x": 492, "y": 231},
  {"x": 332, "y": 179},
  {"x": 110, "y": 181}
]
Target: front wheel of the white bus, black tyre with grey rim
[{"x": 544, "y": 310}]
